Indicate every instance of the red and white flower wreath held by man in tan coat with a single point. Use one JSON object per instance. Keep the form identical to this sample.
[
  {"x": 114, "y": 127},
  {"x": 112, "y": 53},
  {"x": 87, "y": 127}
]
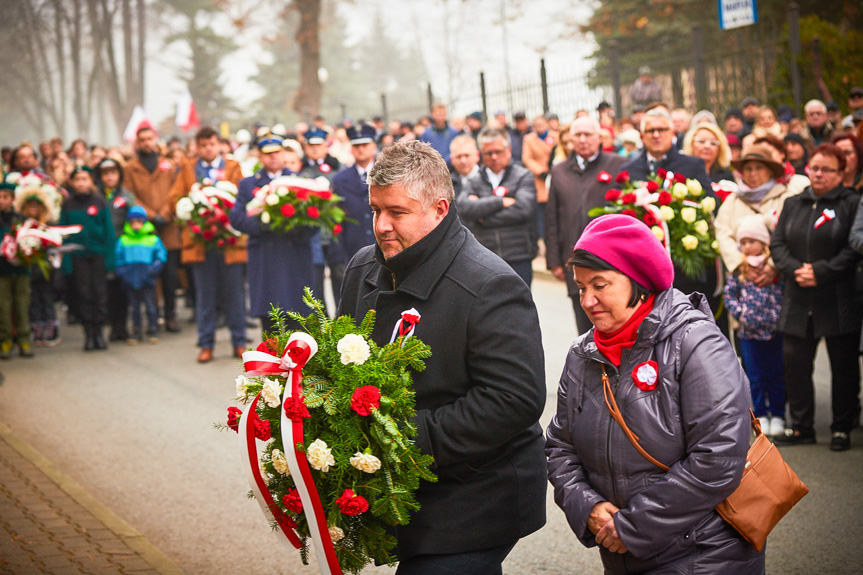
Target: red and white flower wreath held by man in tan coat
[{"x": 205, "y": 213}]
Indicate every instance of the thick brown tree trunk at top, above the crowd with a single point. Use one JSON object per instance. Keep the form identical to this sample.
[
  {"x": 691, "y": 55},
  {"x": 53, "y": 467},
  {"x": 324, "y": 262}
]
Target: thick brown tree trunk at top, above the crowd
[{"x": 308, "y": 99}]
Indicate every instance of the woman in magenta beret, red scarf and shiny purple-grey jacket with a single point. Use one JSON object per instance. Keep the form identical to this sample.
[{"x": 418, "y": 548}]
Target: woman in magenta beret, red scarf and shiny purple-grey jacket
[{"x": 656, "y": 357}]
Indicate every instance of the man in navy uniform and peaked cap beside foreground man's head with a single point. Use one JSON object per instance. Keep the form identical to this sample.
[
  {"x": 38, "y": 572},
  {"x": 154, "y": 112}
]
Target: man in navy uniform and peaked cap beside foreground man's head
[{"x": 350, "y": 184}]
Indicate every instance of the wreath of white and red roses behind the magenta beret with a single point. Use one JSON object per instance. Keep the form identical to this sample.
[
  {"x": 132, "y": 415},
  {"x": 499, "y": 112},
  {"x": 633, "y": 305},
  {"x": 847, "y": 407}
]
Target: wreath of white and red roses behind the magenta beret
[{"x": 673, "y": 208}]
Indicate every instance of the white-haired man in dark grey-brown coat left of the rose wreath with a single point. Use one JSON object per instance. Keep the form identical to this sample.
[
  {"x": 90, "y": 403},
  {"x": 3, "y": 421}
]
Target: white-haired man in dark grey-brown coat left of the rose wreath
[{"x": 575, "y": 189}]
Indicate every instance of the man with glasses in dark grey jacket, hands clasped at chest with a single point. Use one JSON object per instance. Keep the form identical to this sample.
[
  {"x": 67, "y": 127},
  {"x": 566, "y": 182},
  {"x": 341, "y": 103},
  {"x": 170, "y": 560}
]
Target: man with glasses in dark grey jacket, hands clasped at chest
[{"x": 498, "y": 204}]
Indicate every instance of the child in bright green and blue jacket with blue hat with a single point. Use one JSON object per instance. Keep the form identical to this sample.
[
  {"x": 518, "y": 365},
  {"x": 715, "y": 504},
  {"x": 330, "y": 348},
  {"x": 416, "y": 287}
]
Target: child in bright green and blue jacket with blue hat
[{"x": 140, "y": 256}]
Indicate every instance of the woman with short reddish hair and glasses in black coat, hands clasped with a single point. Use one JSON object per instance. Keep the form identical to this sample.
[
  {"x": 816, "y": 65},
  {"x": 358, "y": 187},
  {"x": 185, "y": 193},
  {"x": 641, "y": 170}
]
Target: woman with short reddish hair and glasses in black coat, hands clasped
[{"x": 811, "y": 247}]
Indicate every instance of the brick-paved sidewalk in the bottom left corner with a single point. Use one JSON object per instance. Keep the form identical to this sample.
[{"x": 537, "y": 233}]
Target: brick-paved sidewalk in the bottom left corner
[{"x": 49, "y": 524}]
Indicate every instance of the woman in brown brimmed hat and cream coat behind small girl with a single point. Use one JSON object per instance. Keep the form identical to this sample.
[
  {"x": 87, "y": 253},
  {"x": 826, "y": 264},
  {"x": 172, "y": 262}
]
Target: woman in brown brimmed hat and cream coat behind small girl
[{"x": 758, "y": 192}]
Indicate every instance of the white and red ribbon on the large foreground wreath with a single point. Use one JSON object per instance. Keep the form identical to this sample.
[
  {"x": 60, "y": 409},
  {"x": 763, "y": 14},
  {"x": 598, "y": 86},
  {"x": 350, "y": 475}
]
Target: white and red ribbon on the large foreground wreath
[{"x": 299, "y": 350}]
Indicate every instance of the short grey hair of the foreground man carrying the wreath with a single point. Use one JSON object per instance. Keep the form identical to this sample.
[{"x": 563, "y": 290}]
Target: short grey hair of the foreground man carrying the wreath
[{"x": 415, "y": 166}]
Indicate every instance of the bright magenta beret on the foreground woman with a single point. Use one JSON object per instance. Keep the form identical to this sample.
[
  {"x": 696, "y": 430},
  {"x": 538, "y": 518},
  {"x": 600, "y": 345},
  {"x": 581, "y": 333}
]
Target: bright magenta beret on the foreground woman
[{"x": 628, "y": 244}]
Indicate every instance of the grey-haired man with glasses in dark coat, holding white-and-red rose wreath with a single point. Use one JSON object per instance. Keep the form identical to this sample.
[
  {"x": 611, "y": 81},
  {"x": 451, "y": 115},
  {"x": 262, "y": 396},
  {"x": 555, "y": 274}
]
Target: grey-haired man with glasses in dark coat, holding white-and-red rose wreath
[{"x": 657, "y": 133}]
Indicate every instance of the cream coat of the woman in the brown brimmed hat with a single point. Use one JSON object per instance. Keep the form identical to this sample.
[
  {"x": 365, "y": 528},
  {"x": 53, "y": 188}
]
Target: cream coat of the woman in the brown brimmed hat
[{"x": 733, "y": 209}]
